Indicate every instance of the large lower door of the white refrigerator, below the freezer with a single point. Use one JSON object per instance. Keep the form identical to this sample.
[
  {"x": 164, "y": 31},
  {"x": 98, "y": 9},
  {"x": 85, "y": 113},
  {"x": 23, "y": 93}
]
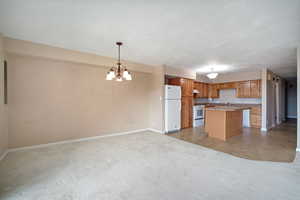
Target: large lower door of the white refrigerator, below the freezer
[{"x": 173, "y": 115}]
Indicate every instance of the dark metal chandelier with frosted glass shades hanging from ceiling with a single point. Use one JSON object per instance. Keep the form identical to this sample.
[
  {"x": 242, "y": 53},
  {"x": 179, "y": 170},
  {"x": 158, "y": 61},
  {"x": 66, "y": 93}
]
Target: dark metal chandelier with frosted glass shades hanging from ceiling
[{"x": 120, "y": 72}]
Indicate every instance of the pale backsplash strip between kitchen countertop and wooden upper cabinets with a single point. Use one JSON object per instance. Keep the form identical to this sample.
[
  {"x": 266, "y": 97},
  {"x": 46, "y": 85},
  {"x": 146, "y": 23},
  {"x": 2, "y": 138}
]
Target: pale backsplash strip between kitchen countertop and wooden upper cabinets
[{"x": 229, "y": 96}]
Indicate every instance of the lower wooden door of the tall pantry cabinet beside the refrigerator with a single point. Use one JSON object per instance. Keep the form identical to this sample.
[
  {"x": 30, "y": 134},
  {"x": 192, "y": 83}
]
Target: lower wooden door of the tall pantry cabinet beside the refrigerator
[{"x": 186, "y": 112}]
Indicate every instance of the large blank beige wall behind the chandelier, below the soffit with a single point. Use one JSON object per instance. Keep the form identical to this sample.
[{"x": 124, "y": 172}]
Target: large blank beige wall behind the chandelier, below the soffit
[{"x": 55, "y": 100}]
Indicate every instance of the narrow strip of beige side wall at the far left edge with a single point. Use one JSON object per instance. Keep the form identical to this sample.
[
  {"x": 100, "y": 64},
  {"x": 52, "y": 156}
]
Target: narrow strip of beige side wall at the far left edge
[{"x": 3, "y": 107}]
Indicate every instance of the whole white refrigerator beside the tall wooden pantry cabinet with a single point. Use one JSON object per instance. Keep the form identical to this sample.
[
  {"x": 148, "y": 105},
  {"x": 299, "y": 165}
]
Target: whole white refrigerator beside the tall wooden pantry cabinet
[{"x": 172, "y": 108}]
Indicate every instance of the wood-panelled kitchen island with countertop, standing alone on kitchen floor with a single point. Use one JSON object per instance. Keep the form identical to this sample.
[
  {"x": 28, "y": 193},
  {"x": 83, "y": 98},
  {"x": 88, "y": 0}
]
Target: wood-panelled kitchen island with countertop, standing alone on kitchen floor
[{"x": 223, "y": 122}]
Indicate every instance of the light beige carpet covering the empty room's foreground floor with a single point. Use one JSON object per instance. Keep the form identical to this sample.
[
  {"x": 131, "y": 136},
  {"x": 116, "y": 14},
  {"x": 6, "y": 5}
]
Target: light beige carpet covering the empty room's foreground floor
[{"x": 142, "y": 166}]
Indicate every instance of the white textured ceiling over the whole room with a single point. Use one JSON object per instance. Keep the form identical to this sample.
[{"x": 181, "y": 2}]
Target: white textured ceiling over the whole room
[{"x": 243, "y": 34}]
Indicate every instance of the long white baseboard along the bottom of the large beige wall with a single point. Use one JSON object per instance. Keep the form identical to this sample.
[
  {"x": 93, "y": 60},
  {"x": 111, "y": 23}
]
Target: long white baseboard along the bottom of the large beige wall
[{"x": 75, "y": 140}]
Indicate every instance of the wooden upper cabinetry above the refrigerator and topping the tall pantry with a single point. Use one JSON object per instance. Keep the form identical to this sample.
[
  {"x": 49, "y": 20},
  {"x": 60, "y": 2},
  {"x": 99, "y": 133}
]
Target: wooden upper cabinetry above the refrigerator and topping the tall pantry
[{"x": 187, "y": 85}]
